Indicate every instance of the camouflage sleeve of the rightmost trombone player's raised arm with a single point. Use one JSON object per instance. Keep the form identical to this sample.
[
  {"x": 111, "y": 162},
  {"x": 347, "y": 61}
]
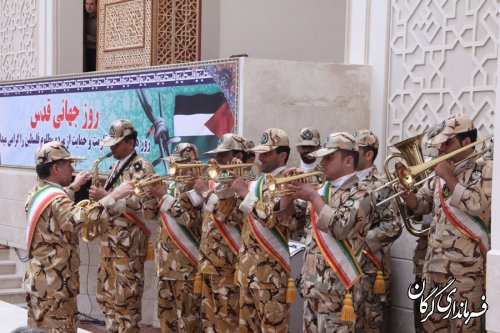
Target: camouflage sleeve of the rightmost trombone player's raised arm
[{"x": 474, "y": 197}]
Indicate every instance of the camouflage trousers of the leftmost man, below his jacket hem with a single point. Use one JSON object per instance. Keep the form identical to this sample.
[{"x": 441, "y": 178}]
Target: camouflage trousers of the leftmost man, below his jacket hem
[{"x": 53, "y": 315}]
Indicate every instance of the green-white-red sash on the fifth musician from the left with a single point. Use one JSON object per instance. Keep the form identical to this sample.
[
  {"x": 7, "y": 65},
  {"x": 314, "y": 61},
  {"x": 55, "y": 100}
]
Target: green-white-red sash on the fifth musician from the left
[{"x": 271, "y": 240}]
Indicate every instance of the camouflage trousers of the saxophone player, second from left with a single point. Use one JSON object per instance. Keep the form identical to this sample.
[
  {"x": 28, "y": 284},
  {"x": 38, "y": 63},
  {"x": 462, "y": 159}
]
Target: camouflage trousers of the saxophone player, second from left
[{"x": 120, "y": 284}]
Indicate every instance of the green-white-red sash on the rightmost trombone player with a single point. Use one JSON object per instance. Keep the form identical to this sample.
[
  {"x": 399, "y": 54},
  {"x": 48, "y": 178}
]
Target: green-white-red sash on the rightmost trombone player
[{"x": 471, "y": 226}]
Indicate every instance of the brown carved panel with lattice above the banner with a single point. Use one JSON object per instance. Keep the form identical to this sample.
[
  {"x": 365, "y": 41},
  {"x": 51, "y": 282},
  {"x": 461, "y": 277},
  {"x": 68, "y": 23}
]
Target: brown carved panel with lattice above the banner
[{"x": 137, "y": 33}]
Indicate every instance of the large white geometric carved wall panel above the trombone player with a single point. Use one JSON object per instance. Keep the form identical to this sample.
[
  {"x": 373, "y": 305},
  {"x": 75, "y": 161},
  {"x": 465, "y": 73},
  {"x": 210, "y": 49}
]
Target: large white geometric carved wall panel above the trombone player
[{"x": 443, "y": 60}]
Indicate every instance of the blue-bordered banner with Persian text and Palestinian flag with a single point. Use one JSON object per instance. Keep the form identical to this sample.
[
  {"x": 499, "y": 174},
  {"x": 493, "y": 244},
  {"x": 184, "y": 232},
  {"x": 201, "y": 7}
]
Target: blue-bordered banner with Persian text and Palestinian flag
[{"x": 195, "y": 102}]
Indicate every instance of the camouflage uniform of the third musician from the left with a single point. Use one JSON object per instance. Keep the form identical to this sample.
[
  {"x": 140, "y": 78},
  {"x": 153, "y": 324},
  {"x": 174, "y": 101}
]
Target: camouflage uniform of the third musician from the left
[{"x": 178, "y": 305}]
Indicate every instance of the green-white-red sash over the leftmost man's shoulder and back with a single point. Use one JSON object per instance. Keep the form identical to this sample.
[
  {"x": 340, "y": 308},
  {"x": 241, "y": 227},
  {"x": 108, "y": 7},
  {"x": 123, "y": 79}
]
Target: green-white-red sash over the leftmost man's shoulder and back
[{"x": 40, "y": 201}]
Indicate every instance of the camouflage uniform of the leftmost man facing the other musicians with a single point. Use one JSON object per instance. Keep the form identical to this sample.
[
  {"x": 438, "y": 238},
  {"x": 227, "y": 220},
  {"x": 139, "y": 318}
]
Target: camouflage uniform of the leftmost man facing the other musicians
[{"x": 52, "y": 281}]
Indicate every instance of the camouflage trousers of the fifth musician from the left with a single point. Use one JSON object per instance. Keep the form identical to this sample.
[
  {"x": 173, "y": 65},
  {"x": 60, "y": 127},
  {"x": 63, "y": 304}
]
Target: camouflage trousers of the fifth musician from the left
[{"x": 264, "y": 310}]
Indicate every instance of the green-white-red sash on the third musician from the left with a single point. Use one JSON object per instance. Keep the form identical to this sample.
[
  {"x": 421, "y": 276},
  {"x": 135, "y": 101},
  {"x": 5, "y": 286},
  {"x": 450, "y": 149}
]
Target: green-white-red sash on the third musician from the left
[{"x": 181, "y": 235}]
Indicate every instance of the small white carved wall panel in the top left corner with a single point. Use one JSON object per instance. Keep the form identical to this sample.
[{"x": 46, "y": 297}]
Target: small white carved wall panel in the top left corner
[{"x": 18, "y": 33}]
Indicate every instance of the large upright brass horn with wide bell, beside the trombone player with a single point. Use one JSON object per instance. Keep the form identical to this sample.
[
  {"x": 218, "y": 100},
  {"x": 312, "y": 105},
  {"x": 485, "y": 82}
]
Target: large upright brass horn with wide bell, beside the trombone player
[{"x": 411, "y": 152}]
